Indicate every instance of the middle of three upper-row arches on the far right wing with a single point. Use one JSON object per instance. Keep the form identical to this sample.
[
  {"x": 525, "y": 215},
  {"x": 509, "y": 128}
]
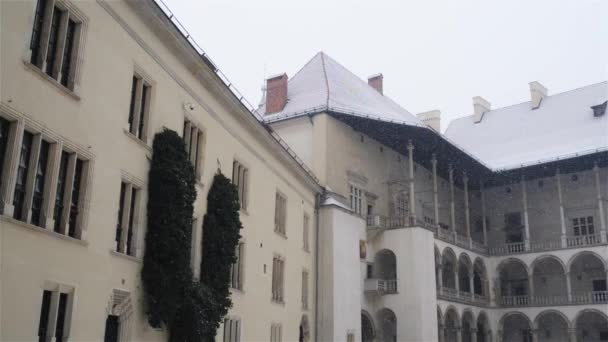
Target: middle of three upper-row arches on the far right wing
[{"x": 549, "y": 282}]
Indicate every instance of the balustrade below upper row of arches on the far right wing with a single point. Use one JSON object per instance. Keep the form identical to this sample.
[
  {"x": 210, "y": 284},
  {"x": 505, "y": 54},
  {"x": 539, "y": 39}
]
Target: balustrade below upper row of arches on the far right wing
[{"x": 596, "y": 297}]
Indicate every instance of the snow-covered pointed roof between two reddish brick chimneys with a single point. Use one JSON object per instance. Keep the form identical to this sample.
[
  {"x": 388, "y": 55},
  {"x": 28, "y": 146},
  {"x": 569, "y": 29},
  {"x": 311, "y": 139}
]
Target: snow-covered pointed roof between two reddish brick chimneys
[{"x": 325, "y": 85}]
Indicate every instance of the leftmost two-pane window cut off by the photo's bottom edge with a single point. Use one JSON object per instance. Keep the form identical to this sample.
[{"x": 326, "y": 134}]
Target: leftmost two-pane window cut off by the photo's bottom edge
[{"x": 54, "y": 316}]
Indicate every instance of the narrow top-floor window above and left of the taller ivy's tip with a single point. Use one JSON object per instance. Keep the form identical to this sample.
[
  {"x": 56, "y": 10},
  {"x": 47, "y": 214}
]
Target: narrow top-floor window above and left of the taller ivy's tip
[{"x": 139, "y": 107}]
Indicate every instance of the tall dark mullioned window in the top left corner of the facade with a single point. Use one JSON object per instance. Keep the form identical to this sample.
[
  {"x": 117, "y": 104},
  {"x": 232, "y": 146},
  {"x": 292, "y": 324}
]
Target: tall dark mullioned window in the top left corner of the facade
[{"x": 54, "y": 41}]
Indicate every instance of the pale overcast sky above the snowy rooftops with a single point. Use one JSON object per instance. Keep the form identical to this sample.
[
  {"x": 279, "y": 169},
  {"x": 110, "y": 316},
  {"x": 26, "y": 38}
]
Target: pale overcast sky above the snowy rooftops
[{"x": 433, "y": 54}]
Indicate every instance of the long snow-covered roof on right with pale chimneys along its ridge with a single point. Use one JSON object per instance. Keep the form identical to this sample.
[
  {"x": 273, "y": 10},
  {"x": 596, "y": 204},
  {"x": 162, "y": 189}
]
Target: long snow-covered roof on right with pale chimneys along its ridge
[{"x": 516, "y": 136}]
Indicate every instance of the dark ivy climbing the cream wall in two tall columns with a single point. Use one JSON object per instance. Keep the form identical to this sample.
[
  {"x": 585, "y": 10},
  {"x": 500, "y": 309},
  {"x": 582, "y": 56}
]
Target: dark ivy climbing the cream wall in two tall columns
[{"x": 191, "y": 310}]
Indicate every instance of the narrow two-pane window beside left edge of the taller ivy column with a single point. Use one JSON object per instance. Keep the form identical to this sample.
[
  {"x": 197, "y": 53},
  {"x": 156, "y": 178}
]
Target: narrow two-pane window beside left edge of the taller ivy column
[{"x": 127, "y": 217}]
